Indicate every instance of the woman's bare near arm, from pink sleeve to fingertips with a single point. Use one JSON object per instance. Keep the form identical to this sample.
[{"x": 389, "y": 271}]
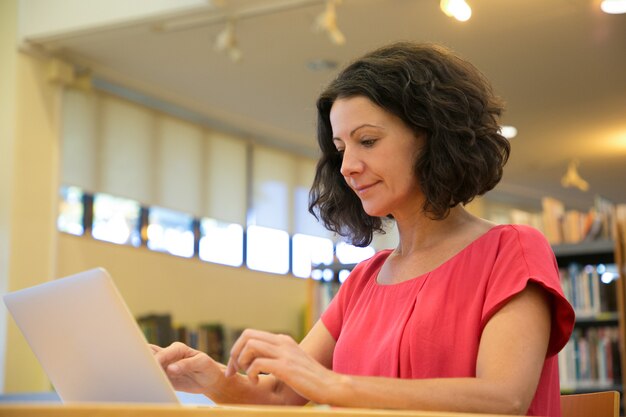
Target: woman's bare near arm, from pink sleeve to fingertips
[{"x": 510, "y": 359}]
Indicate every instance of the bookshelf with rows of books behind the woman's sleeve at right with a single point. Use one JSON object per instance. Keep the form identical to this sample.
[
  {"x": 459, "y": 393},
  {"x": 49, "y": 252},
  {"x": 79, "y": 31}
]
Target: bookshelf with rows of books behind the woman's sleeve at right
[{"x": 593, "y": 359}]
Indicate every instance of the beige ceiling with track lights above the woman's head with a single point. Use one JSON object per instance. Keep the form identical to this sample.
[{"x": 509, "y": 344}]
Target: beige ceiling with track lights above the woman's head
[{"x": 560, "y": 65}]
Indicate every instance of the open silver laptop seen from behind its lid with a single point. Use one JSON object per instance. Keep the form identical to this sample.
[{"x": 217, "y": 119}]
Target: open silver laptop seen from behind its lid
[{"x": 88, "y": 342}]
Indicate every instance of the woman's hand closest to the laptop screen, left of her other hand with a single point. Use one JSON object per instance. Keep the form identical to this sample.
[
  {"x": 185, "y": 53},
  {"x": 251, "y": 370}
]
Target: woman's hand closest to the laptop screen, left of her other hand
[{"x": 188, "y": 369}]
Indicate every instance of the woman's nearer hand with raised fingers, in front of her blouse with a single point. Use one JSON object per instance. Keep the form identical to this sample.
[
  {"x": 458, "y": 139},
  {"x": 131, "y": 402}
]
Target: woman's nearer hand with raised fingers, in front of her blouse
[{"x": 258, "y": 352}]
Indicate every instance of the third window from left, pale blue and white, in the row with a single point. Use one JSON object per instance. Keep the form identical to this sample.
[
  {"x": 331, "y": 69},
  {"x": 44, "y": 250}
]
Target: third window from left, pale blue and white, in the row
[{"x": 170, "y": 231}]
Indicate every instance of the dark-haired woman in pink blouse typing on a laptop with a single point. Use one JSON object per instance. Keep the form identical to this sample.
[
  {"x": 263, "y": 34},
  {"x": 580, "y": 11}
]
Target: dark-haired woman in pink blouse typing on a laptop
[{"x": 463, "y": 315}]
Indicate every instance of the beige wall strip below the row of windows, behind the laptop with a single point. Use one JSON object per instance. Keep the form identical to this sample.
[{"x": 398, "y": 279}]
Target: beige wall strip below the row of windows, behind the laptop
[{"x": 191, "y": 290}]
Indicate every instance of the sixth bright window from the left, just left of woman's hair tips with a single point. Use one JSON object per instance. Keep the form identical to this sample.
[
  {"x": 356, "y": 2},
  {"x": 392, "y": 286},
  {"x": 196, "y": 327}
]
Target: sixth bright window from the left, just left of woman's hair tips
[{"x": 310, "y": 251}]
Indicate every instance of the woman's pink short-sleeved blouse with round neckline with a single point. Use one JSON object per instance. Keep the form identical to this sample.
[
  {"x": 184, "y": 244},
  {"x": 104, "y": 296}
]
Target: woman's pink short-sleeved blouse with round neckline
[{"x": 430, "y": 326}]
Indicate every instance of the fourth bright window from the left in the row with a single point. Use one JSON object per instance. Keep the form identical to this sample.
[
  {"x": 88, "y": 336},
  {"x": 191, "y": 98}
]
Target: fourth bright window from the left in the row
[{"x": 221, "y": 243}]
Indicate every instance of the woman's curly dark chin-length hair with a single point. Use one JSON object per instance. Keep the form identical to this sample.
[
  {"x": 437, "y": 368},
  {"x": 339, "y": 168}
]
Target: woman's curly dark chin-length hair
[{"x": 439, "y": 96}]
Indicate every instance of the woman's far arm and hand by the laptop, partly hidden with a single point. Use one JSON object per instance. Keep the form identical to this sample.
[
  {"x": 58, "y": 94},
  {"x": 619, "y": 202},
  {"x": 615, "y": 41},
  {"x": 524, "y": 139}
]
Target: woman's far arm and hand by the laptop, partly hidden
[{"x": 194, "y": 371}]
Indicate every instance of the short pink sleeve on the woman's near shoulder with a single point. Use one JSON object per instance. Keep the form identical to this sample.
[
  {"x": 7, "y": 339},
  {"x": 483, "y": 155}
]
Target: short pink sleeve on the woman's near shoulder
[{"x": 525, "y": 256}]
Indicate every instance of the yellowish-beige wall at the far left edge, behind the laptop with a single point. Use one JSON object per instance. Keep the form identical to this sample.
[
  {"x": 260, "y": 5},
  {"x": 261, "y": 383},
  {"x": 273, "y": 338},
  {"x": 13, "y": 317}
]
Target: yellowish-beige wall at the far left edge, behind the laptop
[{"x": 29, "y": 183}]
